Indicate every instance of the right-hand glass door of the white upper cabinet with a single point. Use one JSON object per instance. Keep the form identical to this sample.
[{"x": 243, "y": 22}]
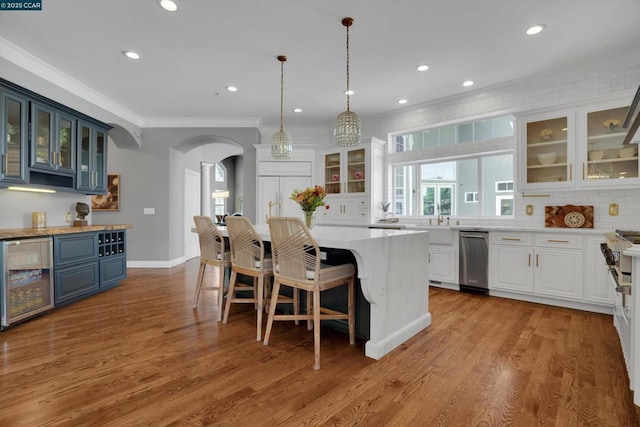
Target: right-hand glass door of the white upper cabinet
[{"x": 605, "y": 160}]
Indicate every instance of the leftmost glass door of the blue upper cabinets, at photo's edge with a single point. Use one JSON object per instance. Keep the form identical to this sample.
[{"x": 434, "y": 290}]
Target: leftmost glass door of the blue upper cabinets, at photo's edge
[{"x": 13, "y": 137}]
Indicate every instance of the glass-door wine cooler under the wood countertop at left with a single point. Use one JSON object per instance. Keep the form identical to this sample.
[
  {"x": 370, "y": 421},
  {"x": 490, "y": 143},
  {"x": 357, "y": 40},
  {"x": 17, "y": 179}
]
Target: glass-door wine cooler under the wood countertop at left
[{"x": 27, "y": 279}]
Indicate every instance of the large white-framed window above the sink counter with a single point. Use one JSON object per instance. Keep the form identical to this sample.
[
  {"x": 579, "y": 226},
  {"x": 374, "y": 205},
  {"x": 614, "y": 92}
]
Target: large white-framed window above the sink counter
[{"x": 478, "y": 181}]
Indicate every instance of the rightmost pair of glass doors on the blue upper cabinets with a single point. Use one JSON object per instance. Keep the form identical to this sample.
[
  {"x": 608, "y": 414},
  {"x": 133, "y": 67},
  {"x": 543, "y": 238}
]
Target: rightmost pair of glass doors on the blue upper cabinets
[{"x": 92, "y": 146}]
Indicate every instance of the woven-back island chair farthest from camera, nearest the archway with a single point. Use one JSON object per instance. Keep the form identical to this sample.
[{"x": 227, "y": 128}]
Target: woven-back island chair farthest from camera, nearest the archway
[{"x": 212, "y": 252}]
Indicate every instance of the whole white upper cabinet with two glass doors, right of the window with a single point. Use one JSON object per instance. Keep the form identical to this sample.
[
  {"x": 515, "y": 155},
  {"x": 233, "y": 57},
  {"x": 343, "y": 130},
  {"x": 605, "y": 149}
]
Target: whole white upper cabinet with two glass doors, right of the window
[{"x": 577, "y": 149}]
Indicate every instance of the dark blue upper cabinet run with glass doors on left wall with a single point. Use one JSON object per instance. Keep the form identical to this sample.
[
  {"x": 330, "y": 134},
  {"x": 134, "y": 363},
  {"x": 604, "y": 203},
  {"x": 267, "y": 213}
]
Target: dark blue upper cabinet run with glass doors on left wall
[{"x": 44, "y": 143}]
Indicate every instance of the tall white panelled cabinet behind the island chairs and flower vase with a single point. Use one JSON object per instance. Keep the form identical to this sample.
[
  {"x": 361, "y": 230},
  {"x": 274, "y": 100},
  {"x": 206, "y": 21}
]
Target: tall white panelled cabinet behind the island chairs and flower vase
[{"x": 277, "y": 179}]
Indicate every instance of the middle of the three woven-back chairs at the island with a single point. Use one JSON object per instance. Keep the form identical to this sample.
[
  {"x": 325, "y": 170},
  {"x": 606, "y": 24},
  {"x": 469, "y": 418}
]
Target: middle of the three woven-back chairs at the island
[{"x": 248, "y": 258}]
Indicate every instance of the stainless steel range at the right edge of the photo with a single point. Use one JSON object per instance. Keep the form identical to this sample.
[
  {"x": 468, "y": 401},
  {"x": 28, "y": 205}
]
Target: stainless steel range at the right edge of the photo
[{"x": 620, "y": 267}]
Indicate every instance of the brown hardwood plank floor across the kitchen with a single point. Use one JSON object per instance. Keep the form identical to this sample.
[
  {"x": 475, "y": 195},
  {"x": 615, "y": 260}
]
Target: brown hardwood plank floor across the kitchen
[{"x": 139, "y": 354}]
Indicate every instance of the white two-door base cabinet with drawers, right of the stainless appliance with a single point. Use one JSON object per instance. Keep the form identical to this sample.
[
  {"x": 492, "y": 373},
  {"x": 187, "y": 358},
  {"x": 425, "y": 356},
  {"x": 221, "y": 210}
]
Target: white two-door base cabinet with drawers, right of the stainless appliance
[{"x": 543, "y": 264}]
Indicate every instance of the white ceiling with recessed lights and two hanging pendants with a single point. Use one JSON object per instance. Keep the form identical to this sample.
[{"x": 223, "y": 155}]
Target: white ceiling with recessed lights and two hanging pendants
[{"x": 191, "y": 55}]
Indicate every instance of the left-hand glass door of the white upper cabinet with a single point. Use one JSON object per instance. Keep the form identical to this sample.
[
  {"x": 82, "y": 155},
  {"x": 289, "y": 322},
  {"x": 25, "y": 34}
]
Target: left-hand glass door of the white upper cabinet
[{"x": 548, "y": 151}]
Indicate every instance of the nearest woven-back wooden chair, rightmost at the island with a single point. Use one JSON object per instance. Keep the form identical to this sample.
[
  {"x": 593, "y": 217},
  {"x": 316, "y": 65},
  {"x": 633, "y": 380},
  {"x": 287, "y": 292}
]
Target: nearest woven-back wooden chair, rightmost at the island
[{"x": 296, "y": 258}]
